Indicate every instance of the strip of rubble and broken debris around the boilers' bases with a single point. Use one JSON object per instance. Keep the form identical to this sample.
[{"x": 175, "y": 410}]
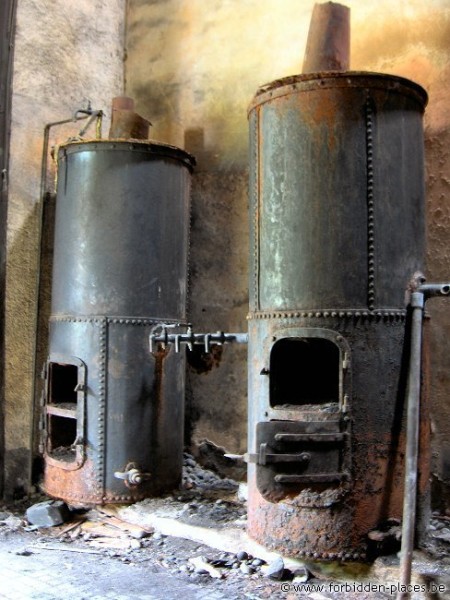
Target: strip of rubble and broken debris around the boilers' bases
[{"x": 198, "y": 533}]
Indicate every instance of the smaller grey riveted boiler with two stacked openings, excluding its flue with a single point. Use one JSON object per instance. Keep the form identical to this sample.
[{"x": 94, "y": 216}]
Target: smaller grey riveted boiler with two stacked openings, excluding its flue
[{"x": 113, "y": 428}]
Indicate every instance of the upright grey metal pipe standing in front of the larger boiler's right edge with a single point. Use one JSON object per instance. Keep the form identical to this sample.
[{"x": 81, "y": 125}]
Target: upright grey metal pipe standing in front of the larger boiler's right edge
[{"x": 412, "y": 443}]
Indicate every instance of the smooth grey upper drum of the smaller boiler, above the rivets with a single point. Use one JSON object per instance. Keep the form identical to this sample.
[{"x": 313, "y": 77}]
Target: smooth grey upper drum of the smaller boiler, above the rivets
[{"x": 122, "y": 211}]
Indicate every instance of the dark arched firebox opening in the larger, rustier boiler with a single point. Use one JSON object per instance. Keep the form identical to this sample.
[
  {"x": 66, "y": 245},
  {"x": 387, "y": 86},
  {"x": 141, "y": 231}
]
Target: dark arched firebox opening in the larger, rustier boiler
[{"x": 304, "y": 371}]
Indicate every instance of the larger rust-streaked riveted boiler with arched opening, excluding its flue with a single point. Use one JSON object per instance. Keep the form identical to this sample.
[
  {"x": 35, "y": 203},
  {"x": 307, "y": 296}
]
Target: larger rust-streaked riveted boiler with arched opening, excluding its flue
[{"x": 337, "y": 232}]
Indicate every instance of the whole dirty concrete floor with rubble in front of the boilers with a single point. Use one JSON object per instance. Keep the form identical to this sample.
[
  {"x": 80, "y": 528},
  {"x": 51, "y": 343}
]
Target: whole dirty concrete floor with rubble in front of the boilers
[{"x": 92, "y": 558}]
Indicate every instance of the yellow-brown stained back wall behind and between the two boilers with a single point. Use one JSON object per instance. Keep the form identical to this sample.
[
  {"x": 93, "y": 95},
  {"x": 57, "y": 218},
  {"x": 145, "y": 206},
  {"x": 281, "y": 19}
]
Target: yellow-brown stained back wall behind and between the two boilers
[{"x": 193, "y": 67}]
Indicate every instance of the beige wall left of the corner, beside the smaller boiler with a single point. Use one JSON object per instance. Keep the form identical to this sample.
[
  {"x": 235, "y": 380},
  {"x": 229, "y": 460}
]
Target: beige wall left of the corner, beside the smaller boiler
[{"x": 66, "y": 52}]
